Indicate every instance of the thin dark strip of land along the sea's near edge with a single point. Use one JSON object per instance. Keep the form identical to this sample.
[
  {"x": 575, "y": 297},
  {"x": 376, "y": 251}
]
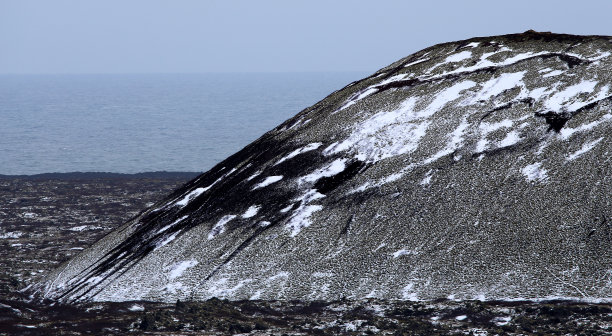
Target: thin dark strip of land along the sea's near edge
[{"x": 105, "y": 175}]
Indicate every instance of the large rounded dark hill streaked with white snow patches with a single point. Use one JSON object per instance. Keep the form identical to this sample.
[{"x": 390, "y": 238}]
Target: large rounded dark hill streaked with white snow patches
[{"x": 471, "y": 169}]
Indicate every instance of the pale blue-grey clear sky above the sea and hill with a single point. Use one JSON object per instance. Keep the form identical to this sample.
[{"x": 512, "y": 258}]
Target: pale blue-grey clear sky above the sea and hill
[{"x": 193, "y": 36}]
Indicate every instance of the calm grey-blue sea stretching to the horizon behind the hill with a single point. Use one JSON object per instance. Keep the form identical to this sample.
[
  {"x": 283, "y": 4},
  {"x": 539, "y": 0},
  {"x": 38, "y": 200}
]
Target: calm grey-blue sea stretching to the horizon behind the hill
[{"x": 143, "y": 123}]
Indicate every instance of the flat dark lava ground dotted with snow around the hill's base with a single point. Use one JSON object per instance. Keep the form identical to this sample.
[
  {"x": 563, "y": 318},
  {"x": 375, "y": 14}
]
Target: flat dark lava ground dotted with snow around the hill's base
[{"x": 46, "y": 221}]
